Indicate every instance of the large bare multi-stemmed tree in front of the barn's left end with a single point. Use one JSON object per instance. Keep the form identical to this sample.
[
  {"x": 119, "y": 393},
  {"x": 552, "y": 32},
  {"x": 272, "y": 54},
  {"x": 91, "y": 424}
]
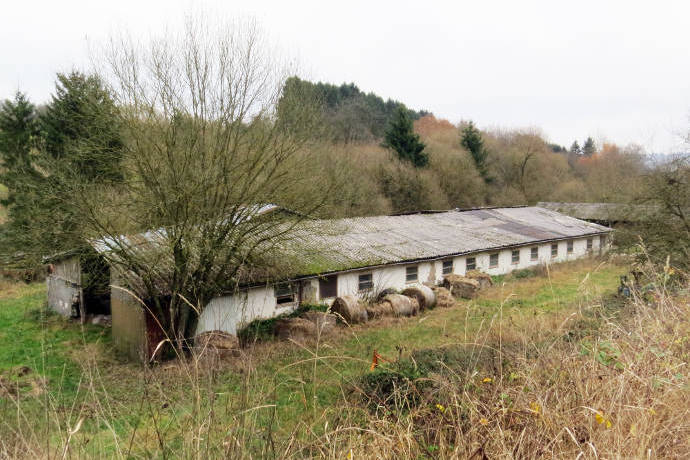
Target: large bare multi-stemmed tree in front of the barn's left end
[{"x": 209, "y": 138}]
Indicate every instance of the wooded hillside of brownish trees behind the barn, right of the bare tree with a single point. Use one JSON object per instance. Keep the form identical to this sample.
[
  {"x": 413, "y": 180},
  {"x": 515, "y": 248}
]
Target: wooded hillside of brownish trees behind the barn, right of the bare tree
[{"x": 462, "y": 166}]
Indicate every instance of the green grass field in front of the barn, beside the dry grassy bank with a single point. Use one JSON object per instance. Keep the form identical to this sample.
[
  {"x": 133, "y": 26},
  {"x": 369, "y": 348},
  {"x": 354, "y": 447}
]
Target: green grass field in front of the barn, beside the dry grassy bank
[{"x": 282, "y": 399}]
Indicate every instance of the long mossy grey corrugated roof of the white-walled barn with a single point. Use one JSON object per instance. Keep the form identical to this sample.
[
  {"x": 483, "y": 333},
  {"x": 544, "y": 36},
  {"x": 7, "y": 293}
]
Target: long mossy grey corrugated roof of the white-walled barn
[{"x": 340, "y": 244}]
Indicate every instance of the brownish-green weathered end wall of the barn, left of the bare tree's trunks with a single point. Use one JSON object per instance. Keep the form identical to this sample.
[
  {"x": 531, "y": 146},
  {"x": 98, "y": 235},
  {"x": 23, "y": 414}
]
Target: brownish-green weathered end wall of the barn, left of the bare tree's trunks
[{"x": 128, "y": 323}]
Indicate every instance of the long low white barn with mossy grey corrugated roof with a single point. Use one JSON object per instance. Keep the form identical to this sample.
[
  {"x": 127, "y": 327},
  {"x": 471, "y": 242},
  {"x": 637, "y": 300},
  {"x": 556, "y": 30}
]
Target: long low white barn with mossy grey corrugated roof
[{"x": 361, "y": 256}]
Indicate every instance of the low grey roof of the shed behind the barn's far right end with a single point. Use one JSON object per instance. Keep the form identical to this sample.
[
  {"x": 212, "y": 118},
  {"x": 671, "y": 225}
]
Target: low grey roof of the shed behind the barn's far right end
[{"x": 604, "y": 212}]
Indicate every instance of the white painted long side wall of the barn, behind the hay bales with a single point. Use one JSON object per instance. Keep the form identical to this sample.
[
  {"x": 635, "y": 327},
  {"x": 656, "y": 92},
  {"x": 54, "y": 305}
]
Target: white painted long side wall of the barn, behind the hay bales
[{"x": 230, "y": 313}]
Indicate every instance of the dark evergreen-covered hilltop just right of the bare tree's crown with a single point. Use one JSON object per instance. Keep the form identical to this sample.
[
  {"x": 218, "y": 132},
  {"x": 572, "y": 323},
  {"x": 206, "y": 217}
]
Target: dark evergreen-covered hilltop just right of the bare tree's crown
[{"x": 350, "y": 114}]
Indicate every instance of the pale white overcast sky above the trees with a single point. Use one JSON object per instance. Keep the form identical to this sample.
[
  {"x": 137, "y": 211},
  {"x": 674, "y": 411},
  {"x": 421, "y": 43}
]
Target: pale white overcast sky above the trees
[{"x": 613, "y": 70}]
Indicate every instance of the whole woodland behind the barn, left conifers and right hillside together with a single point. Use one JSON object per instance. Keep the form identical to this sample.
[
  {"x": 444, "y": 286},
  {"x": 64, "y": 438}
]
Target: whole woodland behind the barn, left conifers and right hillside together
[{"x": 379, "y": 156}]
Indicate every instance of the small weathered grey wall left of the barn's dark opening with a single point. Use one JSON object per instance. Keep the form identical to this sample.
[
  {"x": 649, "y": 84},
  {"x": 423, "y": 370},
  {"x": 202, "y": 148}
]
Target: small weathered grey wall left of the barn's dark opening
[{"x": 64, "y": 286}]
